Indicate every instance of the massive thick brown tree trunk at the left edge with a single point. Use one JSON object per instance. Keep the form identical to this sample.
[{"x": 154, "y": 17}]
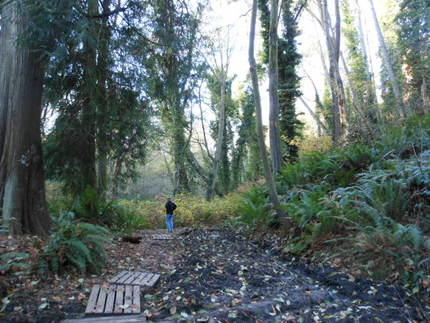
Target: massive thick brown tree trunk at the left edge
[{"x": 22, "y": 185}]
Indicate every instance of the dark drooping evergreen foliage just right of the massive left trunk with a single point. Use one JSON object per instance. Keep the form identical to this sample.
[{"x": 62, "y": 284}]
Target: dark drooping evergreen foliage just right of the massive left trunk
[{"x": 98, "y": 104}]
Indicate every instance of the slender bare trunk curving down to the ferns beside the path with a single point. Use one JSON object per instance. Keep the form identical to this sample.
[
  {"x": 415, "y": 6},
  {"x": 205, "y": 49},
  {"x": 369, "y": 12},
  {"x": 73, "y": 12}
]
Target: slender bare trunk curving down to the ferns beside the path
[{"x": 260, "y": 133}]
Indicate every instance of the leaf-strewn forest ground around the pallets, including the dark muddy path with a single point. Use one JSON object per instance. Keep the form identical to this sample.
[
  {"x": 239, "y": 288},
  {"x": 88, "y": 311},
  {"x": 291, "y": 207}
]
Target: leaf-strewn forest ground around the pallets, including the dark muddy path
[{"x": 217, "y": 275}]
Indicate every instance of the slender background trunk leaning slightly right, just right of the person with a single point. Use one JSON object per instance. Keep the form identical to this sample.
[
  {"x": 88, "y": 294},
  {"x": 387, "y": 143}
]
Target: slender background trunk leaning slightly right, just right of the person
[{"x": 220, "y": 138}]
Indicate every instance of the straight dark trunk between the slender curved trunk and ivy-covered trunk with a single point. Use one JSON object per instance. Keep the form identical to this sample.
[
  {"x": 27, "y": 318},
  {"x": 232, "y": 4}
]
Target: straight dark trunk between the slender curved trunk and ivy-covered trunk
[{"x": 275, "y": 138}]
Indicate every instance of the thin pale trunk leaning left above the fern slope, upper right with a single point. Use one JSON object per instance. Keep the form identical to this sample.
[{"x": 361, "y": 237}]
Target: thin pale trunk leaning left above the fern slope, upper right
[{"x": 388, "y": 64}]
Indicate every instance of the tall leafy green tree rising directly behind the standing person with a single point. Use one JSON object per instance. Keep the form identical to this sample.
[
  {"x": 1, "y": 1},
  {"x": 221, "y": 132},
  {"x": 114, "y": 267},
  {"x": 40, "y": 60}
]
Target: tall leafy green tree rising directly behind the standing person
[{"x": 174, "y": 70}]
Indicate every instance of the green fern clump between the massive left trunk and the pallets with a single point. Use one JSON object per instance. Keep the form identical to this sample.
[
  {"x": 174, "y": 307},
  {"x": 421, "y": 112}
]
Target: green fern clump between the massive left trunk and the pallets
[{"x": 74, "y": 244}]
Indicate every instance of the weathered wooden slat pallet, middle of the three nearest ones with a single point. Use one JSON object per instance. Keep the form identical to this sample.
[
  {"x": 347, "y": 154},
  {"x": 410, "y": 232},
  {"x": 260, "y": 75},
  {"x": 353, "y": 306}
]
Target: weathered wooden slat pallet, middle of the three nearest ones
[{"x": 114, "y": 299}]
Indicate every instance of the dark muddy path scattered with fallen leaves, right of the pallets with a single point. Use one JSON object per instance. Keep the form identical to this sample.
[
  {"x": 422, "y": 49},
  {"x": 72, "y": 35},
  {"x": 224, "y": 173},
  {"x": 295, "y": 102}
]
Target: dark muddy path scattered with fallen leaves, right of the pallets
[{"x": 223, "y": 277}]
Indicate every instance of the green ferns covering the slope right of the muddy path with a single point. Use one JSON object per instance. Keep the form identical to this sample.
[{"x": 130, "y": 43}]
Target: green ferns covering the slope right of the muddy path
[{"x": 369, "y": 203}]
